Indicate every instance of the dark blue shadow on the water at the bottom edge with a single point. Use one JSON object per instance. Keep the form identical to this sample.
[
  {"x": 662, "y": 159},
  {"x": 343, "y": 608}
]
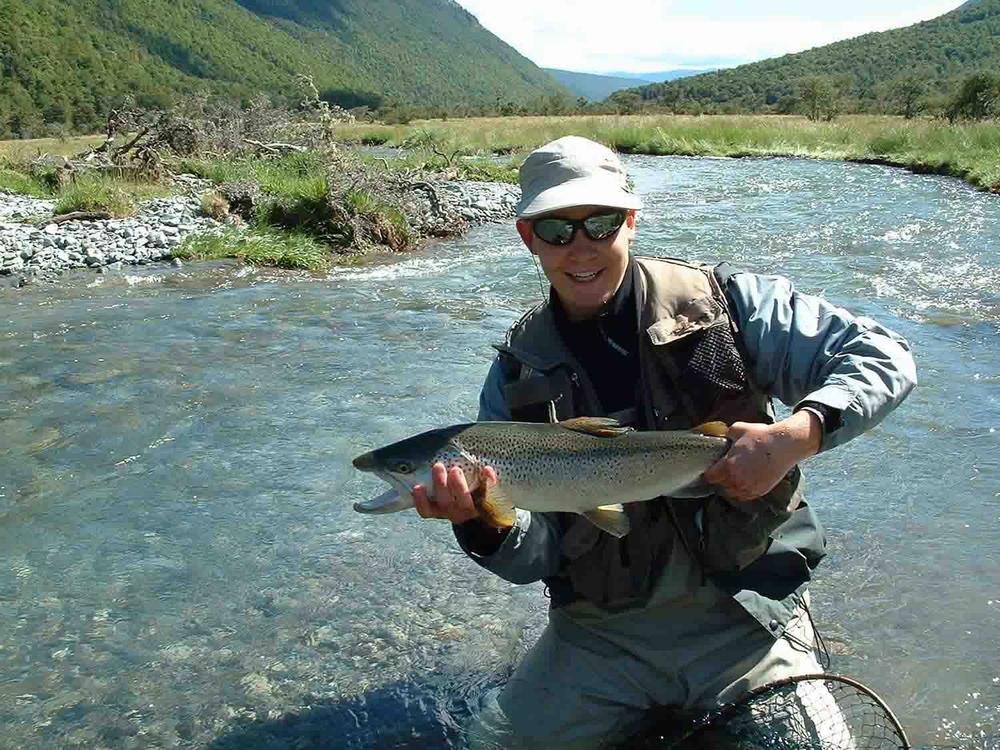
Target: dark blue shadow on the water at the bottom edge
[{"x": 413, "y": 714}]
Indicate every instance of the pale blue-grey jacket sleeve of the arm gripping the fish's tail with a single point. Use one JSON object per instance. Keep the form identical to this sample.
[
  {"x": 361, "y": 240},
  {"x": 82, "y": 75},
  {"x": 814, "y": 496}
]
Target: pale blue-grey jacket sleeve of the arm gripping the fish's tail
[{"x": 802, "y": 348}]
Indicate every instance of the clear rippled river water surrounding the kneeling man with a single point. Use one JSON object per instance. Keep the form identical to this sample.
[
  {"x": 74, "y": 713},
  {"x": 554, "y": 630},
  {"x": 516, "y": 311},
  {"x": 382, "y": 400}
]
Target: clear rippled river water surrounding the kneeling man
[{"x": 180, "y": 565}]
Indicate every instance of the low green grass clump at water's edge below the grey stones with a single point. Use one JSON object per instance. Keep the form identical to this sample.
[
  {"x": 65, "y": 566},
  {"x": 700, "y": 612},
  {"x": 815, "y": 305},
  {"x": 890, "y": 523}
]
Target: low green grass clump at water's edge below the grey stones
[{"x": 259, "y": 247}]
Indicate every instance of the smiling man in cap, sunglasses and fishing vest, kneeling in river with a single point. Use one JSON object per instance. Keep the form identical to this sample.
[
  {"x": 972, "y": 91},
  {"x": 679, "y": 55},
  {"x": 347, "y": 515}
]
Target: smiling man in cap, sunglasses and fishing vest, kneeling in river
[{"x": 703, "y": 599}]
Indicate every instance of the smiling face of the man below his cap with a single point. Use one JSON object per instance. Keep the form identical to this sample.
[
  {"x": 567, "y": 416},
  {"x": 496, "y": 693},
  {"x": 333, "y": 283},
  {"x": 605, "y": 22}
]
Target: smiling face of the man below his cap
[{"x": 585, "y": 273}]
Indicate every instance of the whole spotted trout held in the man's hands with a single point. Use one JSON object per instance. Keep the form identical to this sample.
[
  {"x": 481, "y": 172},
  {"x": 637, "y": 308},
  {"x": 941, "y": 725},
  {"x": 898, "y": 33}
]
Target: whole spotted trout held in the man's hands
[{"x": 587, "y": 465}]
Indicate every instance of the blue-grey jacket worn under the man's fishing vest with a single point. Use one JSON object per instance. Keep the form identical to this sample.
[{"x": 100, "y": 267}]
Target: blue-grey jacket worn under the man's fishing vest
[{"x": 799, "y": 348}]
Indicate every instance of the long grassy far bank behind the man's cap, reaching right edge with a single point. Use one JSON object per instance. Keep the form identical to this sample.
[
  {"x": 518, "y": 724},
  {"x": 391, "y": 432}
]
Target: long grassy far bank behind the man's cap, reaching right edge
[{"x": 970, "y": 152}]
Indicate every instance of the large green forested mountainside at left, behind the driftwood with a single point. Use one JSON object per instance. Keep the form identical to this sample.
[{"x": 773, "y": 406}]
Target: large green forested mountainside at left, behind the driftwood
[{"x": 67, "y": 61}]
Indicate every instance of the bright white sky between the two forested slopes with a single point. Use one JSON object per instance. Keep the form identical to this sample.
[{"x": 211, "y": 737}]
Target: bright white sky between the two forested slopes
[{"x": 652, "y": 35}]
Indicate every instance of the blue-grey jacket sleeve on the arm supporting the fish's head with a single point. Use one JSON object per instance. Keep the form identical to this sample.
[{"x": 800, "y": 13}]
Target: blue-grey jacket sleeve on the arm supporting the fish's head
[{"x": 530, "y": 550}]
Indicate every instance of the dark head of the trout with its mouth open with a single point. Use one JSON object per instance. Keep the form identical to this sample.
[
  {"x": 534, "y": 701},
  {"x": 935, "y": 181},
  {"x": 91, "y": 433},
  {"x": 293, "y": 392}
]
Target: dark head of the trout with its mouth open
[{"x": 405, "y": 464}]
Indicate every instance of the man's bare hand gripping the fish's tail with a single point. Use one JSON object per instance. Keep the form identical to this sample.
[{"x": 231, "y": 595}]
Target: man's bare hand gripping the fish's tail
[{"x": 761, "y": 455}]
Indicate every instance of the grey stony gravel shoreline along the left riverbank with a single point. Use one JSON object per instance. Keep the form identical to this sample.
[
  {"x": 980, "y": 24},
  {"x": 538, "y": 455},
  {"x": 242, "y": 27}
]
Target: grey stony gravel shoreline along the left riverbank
[{"x": 33, "y": 250}]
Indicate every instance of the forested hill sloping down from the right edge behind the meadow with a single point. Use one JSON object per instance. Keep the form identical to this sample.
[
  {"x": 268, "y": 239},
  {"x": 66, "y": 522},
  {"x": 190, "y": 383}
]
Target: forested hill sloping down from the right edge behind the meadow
[{"x": 941, "y": 50}]
